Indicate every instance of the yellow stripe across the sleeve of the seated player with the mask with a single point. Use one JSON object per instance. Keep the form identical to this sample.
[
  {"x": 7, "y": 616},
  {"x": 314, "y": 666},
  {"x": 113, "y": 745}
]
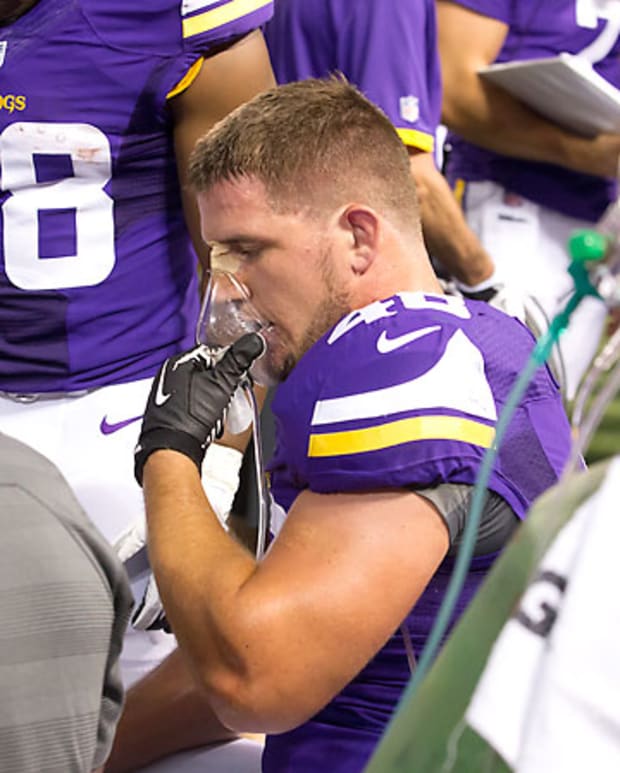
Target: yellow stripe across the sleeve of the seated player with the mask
[{"x": 393, "y": 433}]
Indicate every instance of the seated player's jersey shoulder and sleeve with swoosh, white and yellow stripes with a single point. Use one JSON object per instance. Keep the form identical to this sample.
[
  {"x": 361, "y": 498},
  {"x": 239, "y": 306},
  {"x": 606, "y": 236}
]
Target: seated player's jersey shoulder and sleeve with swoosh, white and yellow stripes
[{"x": 393, "y": 385}]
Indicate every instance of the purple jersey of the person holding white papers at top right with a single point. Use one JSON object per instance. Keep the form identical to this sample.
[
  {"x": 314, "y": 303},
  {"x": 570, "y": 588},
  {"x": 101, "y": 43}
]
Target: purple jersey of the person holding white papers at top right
[{"x": 539, "y": 30}]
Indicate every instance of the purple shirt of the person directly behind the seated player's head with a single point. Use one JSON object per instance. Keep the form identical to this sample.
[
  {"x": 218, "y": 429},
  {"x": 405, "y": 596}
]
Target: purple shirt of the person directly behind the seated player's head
[{"x": 387, "y": 48}]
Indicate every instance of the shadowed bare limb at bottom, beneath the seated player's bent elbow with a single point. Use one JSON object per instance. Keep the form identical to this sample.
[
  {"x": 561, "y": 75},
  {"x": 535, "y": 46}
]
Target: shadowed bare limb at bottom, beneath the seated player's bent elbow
[{"x": 146, "y": 734}]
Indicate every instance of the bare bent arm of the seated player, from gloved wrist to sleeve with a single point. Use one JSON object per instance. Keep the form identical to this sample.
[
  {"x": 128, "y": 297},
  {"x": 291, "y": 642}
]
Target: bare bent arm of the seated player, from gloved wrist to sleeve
[{"x": 273, "y": 642}]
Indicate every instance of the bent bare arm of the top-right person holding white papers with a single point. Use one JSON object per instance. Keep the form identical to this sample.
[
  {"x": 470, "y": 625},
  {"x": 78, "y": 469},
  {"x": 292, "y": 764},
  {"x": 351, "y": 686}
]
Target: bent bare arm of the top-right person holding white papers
[{"x": 488, "y": 116}]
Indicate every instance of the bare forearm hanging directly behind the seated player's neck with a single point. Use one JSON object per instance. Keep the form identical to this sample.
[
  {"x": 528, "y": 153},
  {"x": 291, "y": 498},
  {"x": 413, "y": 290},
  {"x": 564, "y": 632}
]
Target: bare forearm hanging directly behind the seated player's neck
[{"x": 446, "y": 232}]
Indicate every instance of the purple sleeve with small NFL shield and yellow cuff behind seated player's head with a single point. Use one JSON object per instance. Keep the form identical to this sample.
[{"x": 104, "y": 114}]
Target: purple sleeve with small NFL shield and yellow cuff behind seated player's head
[{"x": 389, "y": 51}]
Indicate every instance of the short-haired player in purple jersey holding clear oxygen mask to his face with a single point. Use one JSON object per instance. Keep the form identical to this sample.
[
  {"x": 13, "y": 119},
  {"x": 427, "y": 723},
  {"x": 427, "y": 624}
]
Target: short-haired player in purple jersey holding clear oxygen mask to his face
[{"x": 390, "y": 396}]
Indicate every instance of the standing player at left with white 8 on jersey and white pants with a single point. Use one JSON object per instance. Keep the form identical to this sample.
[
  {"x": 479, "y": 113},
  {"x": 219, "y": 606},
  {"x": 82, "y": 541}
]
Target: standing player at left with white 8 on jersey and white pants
[{"x": 100, "y": 105}]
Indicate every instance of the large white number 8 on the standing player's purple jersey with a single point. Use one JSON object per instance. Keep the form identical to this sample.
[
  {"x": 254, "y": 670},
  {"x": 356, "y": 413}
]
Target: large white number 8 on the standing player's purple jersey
[{"x": 89, "y": 151}]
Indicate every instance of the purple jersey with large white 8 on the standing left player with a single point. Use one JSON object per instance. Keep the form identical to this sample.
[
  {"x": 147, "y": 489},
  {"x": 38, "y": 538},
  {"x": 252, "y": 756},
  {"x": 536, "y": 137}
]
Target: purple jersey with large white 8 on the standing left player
[{"x": 97, "y": 273}]
